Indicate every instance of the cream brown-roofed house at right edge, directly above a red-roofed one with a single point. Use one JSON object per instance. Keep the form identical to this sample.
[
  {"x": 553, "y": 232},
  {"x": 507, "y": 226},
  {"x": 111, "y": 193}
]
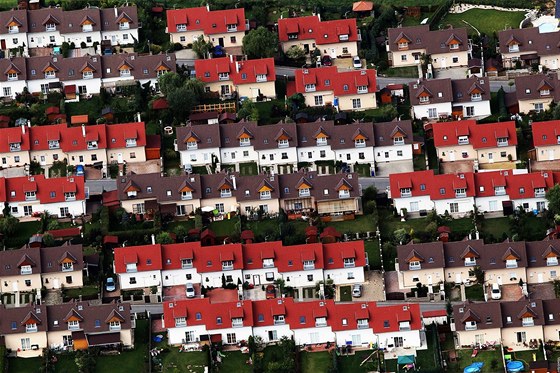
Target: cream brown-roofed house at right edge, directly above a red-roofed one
[{"x": 537, "y": 92}]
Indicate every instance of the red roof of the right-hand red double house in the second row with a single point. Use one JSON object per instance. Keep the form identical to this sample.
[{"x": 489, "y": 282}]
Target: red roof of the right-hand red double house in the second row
[{"x": 330, "y": 79}]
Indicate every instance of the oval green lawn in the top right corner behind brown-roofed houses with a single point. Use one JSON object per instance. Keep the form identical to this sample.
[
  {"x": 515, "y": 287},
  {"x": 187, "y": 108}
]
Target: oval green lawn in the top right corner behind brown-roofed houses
[{"x": 486, "y": 21}]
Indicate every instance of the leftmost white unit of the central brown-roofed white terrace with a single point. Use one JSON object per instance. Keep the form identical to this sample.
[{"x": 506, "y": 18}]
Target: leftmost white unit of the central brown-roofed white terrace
[{"x": 198, "y": 145}]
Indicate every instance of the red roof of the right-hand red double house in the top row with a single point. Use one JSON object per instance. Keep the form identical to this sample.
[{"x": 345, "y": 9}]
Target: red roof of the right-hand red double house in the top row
[{"x": 311, "y": 27}]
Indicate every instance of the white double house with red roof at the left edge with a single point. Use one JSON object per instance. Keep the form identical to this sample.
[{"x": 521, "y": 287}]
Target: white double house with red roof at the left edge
[{"x": 62, "y": 197}]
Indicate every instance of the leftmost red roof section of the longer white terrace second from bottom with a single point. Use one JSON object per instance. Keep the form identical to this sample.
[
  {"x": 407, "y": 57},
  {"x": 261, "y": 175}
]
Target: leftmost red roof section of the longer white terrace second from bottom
[{"x": 146, "y": 258}]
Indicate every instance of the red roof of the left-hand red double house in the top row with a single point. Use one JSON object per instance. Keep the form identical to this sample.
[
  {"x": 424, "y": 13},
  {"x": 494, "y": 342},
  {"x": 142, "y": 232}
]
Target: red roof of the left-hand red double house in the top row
[{"x": 211, "y": 22}]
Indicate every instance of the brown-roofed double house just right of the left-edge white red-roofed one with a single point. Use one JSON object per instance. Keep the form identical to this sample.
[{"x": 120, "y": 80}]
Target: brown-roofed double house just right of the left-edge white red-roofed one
[{"x": 148, "y": 193}]
